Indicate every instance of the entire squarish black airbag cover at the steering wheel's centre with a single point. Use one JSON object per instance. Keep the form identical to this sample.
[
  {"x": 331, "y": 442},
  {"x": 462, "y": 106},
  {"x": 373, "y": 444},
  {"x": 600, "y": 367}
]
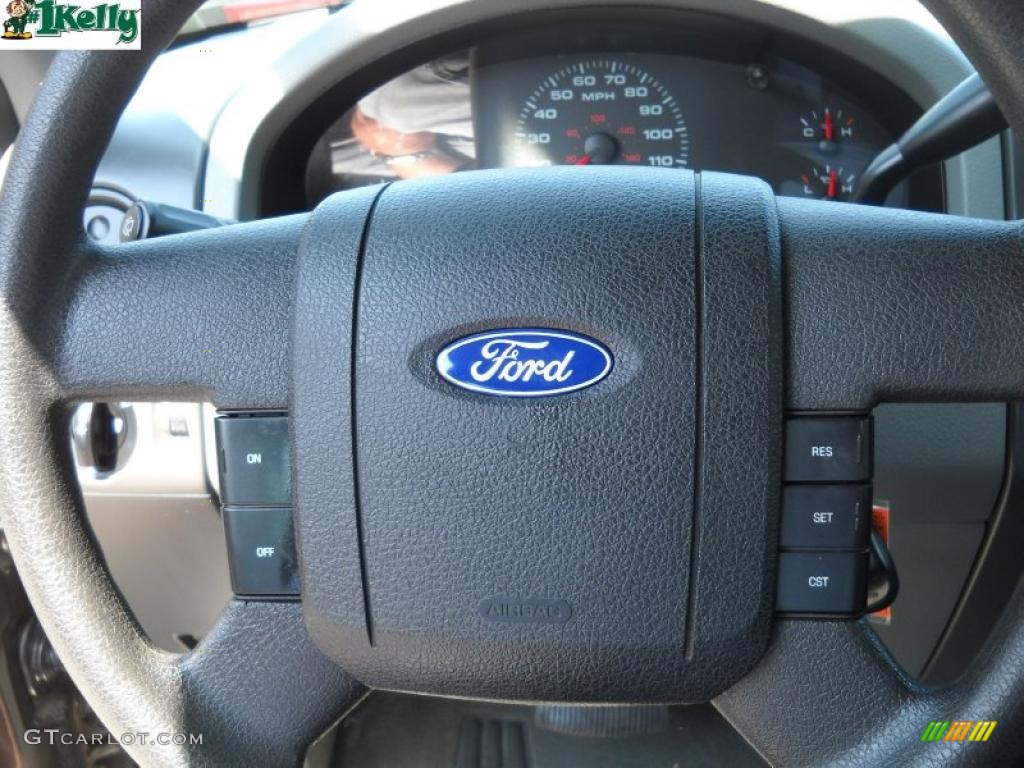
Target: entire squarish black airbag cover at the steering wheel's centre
[{"x": 584, "y": 501}]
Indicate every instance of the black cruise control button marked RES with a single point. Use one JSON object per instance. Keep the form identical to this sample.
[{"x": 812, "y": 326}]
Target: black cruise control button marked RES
[{"x": 829, "y": 450}]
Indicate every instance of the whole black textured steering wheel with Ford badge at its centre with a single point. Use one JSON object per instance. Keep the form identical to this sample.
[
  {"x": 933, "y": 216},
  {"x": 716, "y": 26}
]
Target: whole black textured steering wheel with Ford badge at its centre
[{"x": 723, "y": 306}]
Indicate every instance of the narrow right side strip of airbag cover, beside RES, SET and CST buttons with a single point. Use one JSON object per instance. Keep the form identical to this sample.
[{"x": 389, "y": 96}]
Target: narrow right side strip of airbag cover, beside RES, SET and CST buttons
[{"x": 740, "y": 429}]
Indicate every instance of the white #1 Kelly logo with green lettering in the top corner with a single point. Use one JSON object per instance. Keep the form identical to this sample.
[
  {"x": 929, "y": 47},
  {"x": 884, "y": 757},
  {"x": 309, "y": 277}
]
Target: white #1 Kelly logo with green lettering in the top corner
[{"x": 50, "y": 25}]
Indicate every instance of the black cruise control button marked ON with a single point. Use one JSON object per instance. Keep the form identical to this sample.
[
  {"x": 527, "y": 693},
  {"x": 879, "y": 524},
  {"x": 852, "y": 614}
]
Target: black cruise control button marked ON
[{"x": 254, "y": 463}]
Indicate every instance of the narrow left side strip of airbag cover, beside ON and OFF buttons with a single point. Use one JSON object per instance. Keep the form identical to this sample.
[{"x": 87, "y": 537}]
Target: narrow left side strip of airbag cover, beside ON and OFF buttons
[{"x": 324, "y": 482}]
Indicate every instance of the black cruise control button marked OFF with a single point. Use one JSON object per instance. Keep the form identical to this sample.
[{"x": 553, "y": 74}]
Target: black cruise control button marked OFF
[{"x": 262, "y": 551}]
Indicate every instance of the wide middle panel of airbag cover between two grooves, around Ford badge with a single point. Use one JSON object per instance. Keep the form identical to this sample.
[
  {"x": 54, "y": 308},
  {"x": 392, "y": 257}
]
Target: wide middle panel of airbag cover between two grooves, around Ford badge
[{"x": 585, "y": 498}]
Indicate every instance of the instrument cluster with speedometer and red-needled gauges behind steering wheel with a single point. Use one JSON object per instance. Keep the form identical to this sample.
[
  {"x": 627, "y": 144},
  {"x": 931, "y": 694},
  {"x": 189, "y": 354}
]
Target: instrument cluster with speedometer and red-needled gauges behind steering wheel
[{"x": 714, "y": 97}]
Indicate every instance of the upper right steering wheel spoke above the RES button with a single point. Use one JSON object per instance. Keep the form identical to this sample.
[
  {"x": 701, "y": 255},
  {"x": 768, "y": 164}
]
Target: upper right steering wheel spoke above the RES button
[{"x": 900, "y": 306}]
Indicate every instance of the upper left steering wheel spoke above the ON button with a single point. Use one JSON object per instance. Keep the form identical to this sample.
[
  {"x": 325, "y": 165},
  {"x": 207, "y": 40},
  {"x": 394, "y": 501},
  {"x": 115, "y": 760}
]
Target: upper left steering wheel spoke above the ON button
[{"x": 198, "y": 316}]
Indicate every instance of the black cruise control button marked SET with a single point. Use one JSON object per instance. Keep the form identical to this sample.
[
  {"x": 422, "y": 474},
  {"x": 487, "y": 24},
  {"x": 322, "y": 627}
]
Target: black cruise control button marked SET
[{"x": 827, "y": 517}]
